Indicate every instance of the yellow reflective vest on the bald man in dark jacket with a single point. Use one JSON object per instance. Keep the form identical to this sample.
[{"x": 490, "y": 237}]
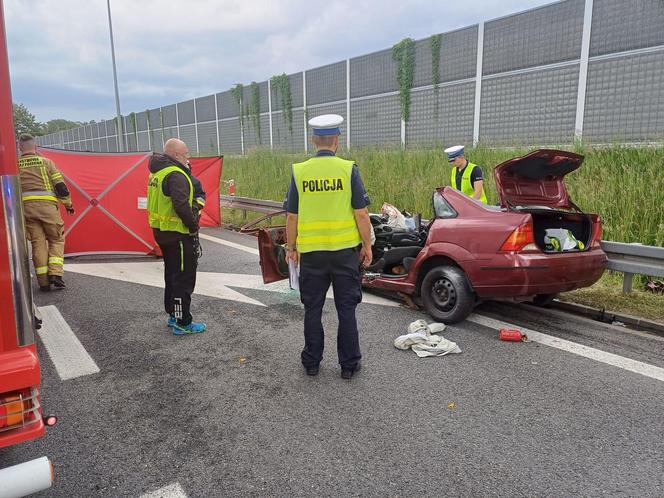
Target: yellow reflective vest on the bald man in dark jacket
[{"x": 161, "y": 213}]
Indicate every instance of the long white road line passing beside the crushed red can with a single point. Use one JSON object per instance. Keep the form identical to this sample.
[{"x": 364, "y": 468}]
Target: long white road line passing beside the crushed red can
[{"x": 572, "y": 347}]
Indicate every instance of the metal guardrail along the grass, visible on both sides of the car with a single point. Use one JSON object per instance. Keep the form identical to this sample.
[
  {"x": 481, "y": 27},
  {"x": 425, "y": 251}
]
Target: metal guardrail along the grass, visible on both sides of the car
[{"x": 629, "y": 259}]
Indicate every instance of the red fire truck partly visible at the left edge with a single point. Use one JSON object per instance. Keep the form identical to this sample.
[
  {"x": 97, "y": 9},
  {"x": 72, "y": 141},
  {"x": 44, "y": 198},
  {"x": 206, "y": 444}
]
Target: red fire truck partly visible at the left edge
[{"x": 21, "y": 416}]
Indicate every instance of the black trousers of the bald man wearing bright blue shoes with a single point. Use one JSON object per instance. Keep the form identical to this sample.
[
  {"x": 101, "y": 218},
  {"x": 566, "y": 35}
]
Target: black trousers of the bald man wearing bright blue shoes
[{"x": 180, "y": 263}]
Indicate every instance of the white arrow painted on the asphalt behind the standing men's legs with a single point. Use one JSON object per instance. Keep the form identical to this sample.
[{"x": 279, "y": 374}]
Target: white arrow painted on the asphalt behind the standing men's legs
[{"x": 207, "y": 283}]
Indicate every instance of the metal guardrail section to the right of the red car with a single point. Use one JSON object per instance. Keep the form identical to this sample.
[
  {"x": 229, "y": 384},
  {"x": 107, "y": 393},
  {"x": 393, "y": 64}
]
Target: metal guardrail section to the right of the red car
[{"x": 634, "y": 259}]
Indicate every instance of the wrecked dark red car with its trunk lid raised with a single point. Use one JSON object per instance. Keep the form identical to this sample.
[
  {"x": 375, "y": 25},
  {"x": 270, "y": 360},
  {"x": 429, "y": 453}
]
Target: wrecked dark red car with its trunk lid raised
[{"x": 534, "y": 245}]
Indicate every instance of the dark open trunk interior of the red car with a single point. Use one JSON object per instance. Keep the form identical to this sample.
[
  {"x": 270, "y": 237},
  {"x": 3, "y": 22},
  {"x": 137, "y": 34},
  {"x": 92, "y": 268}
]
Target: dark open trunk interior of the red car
[{"x": 579, "y": 224}]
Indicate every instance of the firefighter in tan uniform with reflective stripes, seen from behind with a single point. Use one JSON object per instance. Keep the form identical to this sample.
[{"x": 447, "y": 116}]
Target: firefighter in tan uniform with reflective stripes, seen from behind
[{"x": 42, "y": 186}]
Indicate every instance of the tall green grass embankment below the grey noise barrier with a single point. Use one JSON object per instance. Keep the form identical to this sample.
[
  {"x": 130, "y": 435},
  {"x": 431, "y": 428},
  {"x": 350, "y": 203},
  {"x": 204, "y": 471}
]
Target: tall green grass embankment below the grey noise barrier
[{"x": 624, "y": 185}]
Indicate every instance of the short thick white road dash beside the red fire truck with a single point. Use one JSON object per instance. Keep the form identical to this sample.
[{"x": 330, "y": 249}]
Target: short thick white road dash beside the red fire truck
[{"x": 70, "y": 358}]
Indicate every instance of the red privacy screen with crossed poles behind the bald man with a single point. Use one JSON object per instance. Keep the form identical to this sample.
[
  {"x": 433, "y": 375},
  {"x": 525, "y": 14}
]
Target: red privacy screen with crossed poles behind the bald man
[{"x": 109, "y": 194}]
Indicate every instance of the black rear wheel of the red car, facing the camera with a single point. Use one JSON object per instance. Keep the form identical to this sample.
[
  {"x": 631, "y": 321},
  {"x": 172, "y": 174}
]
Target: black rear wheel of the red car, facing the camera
[{"x": 446, "y": 295}]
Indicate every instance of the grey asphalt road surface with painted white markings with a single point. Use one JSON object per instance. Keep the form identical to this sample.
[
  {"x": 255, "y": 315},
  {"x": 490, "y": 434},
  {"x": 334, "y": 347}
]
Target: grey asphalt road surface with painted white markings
[{"x": 230, "y": 412}]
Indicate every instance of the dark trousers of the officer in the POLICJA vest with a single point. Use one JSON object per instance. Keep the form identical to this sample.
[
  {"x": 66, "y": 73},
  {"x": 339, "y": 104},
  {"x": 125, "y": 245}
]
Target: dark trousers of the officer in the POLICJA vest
[{"x": 317, "y": 270}]
